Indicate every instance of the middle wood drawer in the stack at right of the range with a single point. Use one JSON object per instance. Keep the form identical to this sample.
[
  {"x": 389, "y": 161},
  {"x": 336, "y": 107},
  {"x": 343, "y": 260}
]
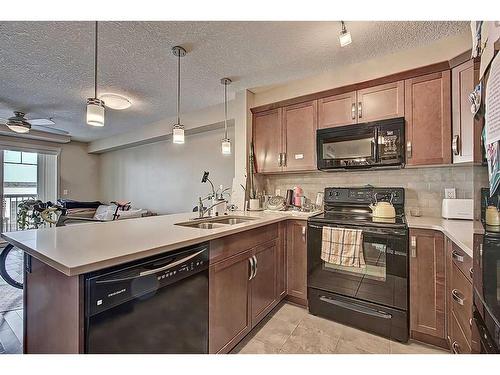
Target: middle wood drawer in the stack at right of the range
[{"x": 461, "y": 300}]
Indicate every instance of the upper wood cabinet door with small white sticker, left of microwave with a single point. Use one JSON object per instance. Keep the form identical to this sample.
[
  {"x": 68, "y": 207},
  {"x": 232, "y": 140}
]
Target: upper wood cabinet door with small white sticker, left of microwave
[{"x": 299, "y": 123}]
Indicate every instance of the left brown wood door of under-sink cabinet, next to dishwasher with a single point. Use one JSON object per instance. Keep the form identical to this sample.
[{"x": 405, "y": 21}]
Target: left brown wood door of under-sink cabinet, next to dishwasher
[{"x": 229, "y": 303}]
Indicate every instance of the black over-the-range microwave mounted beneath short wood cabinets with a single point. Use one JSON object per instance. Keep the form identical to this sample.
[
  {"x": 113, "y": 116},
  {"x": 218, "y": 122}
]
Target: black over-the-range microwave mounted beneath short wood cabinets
[{"x": 368, "y": 145}]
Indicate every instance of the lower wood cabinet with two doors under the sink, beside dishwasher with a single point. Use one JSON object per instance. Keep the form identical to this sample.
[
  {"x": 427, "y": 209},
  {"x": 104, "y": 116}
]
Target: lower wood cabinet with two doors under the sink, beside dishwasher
[{"x": 244, "y": 287}]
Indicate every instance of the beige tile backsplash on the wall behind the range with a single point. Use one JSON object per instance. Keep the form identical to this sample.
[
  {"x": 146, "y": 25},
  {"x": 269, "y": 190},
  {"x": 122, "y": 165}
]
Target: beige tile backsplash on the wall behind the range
[{"x": 424, "y": 187}]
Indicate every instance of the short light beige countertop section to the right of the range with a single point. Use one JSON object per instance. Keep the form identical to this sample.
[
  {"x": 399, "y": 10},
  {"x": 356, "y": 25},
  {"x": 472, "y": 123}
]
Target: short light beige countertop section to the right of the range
[{"x": 459, "y": 231}]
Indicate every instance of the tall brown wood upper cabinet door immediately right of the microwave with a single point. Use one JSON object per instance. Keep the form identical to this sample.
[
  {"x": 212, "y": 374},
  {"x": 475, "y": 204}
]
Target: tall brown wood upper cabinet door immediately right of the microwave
[{"x": 428, "y": 119}]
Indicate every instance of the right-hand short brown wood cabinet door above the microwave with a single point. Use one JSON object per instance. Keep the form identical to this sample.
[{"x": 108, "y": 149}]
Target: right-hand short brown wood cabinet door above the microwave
[{"x": 381, "y": 102}]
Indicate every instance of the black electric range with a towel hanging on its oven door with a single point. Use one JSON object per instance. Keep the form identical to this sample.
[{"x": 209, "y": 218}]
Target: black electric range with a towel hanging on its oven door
[{"x": 373, "y": 297}]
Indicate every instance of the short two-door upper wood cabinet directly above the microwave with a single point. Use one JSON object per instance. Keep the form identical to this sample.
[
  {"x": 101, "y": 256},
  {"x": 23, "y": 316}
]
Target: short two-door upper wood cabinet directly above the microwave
[{"x": 370, "y": 104}]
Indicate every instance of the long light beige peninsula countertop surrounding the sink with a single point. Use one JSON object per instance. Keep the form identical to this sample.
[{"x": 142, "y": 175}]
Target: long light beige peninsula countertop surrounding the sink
[{"x": 82, "y": 248}]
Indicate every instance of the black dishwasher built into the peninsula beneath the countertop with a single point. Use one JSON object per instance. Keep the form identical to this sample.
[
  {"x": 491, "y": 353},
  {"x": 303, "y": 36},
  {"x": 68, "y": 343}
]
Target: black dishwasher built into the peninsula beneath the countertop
[{"x": 156, "y": 305}]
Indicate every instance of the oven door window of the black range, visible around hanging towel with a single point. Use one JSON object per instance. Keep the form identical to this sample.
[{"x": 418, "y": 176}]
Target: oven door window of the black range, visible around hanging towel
[{"x": 374, "y": 253}]
